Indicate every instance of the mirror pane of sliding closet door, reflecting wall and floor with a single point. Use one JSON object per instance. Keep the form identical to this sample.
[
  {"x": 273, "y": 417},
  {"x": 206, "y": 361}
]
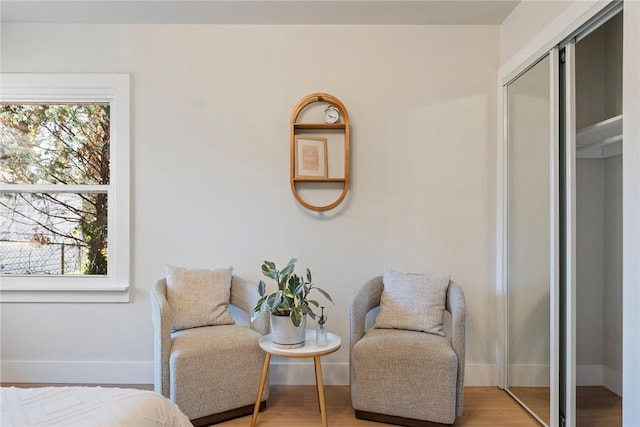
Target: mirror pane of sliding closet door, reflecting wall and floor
[{"x": 528, "y": 239}]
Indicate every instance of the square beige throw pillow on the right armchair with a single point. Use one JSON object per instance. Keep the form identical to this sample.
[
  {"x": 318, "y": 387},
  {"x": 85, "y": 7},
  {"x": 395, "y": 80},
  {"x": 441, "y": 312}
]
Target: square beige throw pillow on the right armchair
[{"x": 414, "y": 302}]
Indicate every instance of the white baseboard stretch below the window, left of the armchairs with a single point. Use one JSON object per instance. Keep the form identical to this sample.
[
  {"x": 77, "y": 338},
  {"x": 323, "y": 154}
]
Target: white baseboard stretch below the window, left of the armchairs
[{"x": 81, "y": 372}]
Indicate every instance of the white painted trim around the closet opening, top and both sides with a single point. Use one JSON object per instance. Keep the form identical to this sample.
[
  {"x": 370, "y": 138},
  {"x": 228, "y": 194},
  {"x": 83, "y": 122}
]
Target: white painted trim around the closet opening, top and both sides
[{"x": 567, "y": 23}]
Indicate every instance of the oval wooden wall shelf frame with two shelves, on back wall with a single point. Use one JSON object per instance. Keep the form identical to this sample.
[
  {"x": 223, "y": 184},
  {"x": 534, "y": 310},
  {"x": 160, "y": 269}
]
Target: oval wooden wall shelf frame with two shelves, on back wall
[{"x": 299, "y": 128}]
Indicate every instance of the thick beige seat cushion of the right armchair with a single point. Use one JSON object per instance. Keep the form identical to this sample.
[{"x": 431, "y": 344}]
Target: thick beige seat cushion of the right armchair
[{"x": 405, "y": 374}]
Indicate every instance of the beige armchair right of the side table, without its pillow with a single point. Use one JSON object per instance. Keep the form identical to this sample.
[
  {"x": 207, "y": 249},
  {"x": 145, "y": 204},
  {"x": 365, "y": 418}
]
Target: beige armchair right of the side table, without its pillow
[{"x": 406, "y": 377}]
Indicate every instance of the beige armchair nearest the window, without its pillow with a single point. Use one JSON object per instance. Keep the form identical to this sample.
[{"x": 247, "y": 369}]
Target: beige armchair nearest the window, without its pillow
[{"x": 212, "y": 372}]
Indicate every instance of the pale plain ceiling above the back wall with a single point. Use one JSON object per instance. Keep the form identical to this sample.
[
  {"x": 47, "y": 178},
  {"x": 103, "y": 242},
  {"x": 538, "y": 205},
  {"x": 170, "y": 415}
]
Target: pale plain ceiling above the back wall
[{"x": 348, "y": 12}]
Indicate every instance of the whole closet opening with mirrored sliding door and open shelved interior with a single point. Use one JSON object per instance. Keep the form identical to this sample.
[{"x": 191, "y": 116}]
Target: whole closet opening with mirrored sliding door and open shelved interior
[{"x": 563, "y": 229}]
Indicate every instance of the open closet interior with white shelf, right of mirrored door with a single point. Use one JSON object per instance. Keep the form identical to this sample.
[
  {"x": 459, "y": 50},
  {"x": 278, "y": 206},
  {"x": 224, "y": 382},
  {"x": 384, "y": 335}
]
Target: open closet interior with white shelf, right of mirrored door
[{"x": 598, "y": 328}]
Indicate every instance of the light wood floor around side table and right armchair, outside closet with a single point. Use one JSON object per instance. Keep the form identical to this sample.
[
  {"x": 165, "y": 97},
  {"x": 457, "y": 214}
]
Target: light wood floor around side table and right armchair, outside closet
[{"x": 297, "y": 406}]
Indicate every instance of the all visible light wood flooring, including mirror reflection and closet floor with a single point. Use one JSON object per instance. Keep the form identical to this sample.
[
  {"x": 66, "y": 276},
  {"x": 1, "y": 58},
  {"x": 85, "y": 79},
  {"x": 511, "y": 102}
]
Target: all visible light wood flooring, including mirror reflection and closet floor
[{"x": 483, "y": 407}]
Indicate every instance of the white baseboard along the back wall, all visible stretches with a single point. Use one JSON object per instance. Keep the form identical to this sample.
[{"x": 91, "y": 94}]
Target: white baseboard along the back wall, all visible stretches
[{"x": 103, "y": 372}]
